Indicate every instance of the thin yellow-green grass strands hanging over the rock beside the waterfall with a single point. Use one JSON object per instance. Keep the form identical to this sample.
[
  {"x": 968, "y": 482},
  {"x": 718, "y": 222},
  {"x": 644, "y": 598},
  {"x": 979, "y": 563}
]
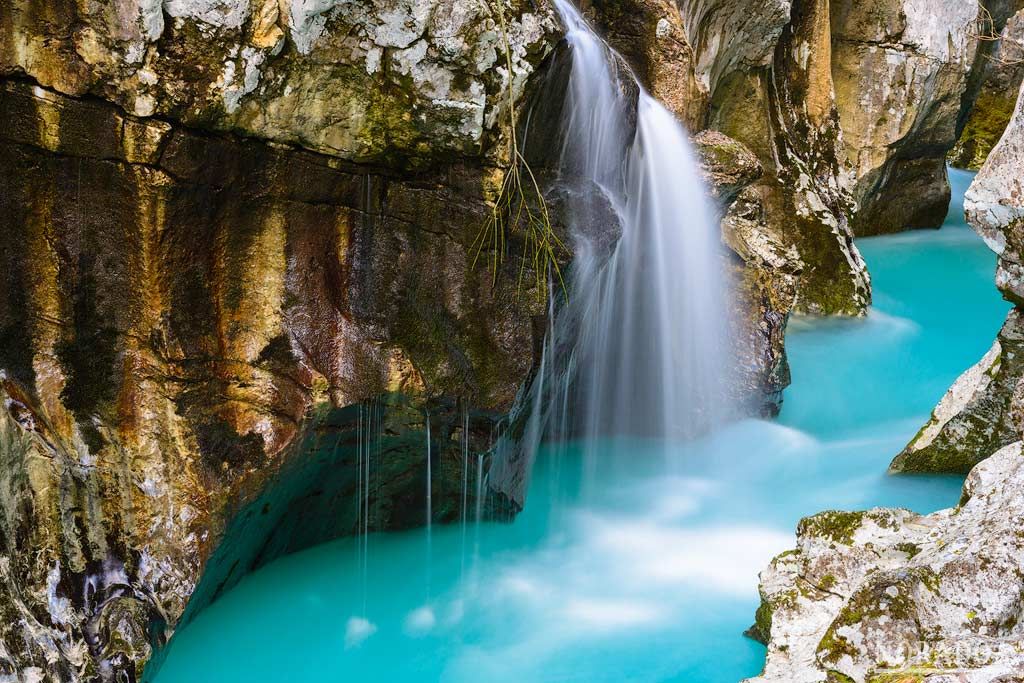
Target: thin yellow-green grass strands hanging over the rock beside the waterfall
[{"x": 520, "y": 207}]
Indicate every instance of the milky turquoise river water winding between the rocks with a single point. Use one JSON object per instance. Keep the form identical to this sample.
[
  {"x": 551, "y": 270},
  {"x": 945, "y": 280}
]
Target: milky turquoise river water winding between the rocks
[{"x": 631, "y": 567}]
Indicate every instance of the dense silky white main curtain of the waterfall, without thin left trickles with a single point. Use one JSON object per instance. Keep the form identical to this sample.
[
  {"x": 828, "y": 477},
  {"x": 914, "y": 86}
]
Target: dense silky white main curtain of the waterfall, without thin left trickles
[{"x": 653, "y": 343}]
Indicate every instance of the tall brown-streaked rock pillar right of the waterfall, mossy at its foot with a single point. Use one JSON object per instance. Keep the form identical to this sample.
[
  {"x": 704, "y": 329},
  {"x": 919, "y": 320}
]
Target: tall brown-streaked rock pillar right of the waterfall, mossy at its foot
[{"x": 766, "y": 65}]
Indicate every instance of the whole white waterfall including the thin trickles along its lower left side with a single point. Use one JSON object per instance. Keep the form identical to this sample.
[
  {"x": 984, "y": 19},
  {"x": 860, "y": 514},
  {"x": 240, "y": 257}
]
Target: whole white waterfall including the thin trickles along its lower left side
[{"x": 643, "y": 349}]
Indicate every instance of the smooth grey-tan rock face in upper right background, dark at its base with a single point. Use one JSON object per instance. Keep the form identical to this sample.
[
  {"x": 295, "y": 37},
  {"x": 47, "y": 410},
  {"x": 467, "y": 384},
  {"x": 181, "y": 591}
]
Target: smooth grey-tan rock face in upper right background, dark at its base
[{"x": 902, "y": 70}]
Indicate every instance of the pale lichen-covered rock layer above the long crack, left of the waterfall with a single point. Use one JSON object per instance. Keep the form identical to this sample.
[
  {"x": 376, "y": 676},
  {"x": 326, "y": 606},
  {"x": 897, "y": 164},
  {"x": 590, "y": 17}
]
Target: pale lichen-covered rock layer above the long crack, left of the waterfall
[{"x": 368, "y": 80}]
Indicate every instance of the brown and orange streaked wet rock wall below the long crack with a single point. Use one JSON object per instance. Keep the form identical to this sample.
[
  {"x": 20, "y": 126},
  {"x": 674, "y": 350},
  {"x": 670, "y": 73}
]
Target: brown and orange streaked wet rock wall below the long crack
[{"x": 178, "y": 311}]
